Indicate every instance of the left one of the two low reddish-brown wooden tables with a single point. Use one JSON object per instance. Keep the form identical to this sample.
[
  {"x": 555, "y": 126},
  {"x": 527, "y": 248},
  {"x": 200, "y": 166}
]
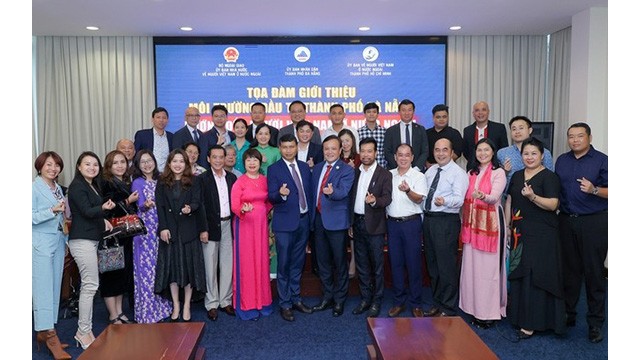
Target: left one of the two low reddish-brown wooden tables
[{"x": 166, "y": 341}]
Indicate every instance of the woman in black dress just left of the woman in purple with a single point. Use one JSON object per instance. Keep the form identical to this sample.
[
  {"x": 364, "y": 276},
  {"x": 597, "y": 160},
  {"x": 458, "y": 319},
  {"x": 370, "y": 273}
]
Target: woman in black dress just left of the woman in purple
[{"x": 117, "y": 188}]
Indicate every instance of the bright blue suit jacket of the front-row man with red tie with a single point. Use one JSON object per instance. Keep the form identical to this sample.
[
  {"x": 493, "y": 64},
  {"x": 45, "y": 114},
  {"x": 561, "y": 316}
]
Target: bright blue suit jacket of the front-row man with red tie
[{"x": 335, "y": 207}]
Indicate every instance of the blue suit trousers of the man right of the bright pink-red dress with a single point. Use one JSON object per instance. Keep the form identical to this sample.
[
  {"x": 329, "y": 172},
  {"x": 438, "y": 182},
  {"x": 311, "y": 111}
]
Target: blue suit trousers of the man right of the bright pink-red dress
[{"x": 290, "y": 248}]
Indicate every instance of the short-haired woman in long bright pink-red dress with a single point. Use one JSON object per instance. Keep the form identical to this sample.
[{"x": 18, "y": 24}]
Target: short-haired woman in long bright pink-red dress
[{"x": 251, "y": 283}]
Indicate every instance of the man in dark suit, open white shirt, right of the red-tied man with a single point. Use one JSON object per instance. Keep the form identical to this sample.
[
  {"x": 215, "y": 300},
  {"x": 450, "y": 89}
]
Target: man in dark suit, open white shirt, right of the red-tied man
[{"x": 370, "y": 196}]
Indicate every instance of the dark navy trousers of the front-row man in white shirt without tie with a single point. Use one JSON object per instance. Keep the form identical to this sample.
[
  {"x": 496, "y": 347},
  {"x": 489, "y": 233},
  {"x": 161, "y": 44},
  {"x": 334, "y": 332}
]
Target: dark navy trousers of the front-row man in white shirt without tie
[{"x": 405, "y": 246}]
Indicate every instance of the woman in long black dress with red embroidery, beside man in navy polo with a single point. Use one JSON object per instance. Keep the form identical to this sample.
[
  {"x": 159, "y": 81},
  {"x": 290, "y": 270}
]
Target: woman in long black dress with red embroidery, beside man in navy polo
[{"x": 536, "y": 295}]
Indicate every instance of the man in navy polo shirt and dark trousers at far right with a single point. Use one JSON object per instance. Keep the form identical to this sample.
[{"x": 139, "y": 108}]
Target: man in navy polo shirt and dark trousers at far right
[{"x": 584, "y": 177}]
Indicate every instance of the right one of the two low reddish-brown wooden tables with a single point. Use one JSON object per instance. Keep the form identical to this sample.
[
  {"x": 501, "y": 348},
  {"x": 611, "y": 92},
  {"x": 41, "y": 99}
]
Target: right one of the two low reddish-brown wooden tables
[{"x": 439, "y": 338}]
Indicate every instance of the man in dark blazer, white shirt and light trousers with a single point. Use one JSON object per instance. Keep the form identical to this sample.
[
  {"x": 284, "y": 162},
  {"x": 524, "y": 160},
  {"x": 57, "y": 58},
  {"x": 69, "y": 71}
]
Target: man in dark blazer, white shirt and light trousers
[{"x": 217, "y": 244}]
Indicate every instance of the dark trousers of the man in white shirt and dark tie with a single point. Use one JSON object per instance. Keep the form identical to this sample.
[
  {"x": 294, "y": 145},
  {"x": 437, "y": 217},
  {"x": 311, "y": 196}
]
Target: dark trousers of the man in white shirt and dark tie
[{"x": 441, "y": 232}]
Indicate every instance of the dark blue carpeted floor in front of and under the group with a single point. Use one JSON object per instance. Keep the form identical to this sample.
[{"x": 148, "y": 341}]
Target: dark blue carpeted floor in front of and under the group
[{"x": 321, "y": 336}]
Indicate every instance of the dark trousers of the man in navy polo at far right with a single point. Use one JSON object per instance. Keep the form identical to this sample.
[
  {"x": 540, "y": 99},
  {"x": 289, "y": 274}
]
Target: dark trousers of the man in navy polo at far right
[{"x": 584, "y": 244}]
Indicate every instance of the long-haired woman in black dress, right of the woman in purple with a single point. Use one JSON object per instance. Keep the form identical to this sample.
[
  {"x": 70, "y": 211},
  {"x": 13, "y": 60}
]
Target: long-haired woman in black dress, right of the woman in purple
[{"x": 181, "y": 224}]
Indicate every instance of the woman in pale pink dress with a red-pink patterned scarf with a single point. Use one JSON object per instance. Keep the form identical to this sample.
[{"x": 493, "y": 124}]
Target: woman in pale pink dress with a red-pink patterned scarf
[{"x": 483, "y": 277}]
